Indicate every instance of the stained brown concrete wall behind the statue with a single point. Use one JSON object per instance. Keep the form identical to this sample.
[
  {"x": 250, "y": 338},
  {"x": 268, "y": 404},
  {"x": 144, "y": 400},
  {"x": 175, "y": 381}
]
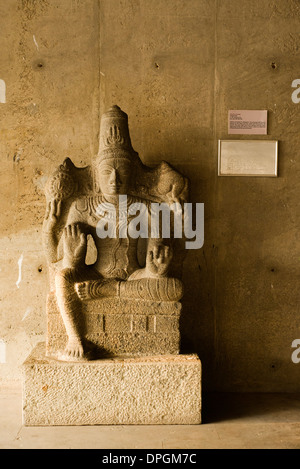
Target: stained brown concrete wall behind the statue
[{"x": 176, "y": 67}]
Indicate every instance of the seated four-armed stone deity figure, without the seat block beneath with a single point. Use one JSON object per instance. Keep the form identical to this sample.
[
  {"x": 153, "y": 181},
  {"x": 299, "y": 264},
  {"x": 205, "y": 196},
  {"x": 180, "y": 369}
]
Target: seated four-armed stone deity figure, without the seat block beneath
[{"x": 101, "y": 203}]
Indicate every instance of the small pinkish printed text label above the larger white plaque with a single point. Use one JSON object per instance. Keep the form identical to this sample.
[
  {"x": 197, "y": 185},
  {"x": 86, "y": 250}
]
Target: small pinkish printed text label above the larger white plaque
[{"x": 247, "y": 122}]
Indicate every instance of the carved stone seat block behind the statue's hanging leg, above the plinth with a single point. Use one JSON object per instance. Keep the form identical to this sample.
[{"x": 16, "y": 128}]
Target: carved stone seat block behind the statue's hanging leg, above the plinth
[{"x": 120, "y": 326}]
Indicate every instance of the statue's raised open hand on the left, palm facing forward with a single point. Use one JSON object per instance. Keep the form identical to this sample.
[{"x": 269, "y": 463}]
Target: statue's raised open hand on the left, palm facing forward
[{"x": 75, "y": 246}]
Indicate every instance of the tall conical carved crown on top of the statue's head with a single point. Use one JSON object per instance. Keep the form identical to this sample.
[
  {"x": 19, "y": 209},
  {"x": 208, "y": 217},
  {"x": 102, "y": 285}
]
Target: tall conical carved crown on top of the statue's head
[{"x": 114, "y": 139}]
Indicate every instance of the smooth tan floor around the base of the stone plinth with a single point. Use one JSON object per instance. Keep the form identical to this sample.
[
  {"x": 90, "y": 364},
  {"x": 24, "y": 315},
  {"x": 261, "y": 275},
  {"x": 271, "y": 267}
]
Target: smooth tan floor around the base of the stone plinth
[{"x": 230, "y": 421}]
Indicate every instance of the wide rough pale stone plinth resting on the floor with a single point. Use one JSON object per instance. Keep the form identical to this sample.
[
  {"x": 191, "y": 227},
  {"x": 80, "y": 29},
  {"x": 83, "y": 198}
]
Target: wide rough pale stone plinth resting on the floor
[{"x": 116, "y": 391}]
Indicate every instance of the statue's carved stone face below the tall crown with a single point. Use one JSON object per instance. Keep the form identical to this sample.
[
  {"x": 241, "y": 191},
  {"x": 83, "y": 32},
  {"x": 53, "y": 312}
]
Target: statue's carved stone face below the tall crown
[{"x": 115, "y": 176}]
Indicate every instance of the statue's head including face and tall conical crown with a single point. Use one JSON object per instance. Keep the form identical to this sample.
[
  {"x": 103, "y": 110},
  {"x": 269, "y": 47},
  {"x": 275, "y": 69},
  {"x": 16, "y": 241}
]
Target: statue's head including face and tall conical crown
[{"x": 117, "y": 160}]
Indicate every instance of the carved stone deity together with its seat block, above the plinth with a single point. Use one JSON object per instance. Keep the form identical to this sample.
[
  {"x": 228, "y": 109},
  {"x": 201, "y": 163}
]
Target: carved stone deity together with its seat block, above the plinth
[{"x": 127, "y": 279}]
